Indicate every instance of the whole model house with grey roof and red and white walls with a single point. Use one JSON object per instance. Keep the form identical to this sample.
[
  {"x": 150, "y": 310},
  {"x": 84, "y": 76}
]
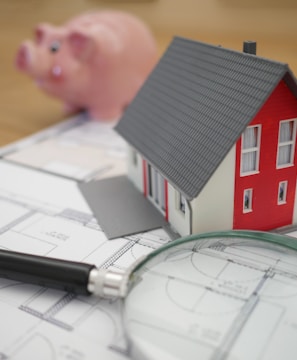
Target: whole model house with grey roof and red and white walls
[{"x": 212, "y": 138}]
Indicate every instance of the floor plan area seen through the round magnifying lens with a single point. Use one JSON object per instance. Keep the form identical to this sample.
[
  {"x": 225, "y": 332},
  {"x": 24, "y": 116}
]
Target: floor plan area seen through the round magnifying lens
[{"x": 230, "y": 300}]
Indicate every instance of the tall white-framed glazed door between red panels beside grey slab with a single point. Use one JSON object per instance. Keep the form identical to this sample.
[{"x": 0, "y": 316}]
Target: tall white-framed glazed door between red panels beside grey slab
[{"x": 156, "y": 187}]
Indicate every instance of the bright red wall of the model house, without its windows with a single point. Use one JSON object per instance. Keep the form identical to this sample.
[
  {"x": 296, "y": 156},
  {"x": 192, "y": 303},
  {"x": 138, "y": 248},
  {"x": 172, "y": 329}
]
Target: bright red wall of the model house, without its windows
[{"x": 266, "y": 214}]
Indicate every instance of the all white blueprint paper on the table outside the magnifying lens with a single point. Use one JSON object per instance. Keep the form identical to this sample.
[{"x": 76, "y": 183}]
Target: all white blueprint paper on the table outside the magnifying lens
[{"x": 43, "y": 212}]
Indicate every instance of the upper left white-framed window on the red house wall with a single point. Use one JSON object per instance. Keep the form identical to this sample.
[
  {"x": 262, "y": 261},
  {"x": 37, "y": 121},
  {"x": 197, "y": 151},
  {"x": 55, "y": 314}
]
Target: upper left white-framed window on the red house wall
[{"x": 250, "y": 150}]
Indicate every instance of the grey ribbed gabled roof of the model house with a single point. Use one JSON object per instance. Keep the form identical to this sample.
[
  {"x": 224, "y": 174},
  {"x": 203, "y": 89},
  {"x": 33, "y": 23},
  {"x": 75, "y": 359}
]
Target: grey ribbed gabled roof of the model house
[{"x": 194, "y": 106}]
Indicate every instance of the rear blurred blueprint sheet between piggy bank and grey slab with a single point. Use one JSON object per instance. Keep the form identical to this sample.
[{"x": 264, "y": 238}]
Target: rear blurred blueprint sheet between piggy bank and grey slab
[{"x": 81, "y": 149}]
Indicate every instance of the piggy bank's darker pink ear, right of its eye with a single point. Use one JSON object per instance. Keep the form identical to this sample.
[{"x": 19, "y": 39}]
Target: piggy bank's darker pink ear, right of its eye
[{"x": 81, "y": 45}]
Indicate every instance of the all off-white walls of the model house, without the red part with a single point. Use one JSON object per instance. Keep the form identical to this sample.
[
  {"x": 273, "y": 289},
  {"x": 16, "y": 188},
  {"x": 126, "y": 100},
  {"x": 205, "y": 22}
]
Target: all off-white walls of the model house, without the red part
[{"x": 212, "y": 209}]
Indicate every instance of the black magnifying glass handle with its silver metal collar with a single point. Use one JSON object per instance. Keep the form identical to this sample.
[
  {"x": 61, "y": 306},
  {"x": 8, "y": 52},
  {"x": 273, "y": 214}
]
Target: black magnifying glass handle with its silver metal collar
[{"x": 70, "y": 276}]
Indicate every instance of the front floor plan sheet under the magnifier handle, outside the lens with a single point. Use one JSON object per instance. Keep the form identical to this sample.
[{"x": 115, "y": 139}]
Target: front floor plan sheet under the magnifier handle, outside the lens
[{"x": 55, "y": 324}]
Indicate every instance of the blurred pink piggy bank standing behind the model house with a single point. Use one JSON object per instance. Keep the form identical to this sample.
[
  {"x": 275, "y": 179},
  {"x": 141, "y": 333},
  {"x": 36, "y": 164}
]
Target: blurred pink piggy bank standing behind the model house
[{"x": 97, "y": 61}]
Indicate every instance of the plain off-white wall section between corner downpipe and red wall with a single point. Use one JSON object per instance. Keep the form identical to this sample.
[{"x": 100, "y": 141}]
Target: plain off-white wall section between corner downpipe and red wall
[{"x": 213, "y": 208}]
